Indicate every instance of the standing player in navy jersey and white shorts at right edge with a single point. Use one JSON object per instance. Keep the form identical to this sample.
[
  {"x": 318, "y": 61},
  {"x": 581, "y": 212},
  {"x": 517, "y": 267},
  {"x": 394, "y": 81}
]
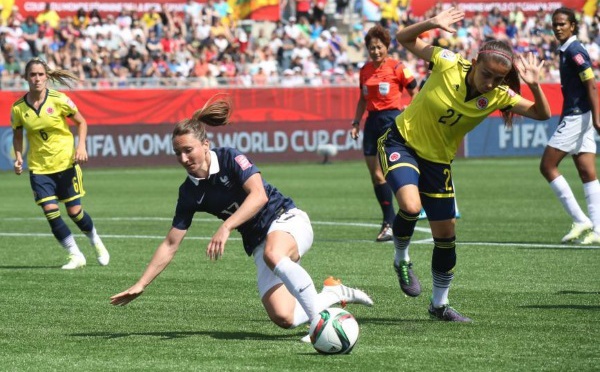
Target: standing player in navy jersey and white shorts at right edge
[{"x": 579, "y": 121}]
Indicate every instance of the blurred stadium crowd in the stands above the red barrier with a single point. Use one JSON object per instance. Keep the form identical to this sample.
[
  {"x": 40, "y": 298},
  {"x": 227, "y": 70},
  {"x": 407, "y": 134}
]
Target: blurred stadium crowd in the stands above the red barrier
[{"x": 204, "y": 46}]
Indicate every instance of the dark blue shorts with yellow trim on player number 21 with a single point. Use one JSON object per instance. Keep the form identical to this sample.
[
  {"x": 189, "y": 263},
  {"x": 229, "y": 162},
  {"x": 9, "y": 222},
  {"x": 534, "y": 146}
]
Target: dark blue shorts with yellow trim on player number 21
[{"x": 402, "y": 166}]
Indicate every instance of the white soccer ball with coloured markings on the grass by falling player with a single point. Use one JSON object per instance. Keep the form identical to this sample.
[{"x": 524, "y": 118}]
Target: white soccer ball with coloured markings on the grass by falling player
[{"x": 334, "y": 331}]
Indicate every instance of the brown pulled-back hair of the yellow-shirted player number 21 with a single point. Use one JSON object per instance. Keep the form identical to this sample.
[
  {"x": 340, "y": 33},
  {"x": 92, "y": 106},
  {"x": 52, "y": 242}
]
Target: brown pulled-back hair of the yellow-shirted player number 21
[{"x": 501, "y": 52}]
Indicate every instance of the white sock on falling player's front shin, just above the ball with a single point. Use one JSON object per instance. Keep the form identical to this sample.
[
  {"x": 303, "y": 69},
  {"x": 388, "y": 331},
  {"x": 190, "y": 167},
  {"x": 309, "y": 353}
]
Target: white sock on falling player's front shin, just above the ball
[{"x": 300, "y": 285}]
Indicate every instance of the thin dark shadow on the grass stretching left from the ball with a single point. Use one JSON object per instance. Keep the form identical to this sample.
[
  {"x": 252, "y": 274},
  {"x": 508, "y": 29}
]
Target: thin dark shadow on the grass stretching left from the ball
[{"x": 183, "y": 334}]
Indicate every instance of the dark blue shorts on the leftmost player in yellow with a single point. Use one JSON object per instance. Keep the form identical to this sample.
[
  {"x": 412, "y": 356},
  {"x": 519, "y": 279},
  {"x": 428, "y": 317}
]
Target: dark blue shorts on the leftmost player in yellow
[{"x": 65, "y": 186}]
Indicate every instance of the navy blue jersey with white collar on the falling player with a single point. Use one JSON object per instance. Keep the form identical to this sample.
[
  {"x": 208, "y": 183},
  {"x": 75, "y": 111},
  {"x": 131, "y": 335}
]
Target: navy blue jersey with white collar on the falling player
[{"x": 222, "y": 193}]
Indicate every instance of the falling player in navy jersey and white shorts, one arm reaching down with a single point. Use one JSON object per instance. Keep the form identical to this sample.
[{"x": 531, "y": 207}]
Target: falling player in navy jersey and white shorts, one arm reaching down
[{"x": 226, "y": 184}]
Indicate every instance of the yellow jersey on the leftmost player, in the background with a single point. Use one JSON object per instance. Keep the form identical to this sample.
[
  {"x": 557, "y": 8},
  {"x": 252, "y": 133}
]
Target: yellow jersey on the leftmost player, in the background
[{"x": 51, "y": 143}]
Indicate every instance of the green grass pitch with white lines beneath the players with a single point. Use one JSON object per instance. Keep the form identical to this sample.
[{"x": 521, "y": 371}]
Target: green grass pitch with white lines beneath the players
[{"x": 535, "y": 303}]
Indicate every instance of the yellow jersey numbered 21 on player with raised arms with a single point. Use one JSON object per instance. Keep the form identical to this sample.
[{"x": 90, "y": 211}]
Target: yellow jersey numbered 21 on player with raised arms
[{"x": 440, "y": 115}]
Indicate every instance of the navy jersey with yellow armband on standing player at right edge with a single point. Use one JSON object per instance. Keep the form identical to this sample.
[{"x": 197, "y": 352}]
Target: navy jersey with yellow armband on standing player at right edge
[{"x": 575, "y": 68}]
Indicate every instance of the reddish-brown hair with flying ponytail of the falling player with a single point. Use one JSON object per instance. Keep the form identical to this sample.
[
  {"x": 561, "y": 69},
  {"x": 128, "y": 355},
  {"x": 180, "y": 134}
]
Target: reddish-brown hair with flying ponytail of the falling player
[{"x": 215, "y": 113}]
